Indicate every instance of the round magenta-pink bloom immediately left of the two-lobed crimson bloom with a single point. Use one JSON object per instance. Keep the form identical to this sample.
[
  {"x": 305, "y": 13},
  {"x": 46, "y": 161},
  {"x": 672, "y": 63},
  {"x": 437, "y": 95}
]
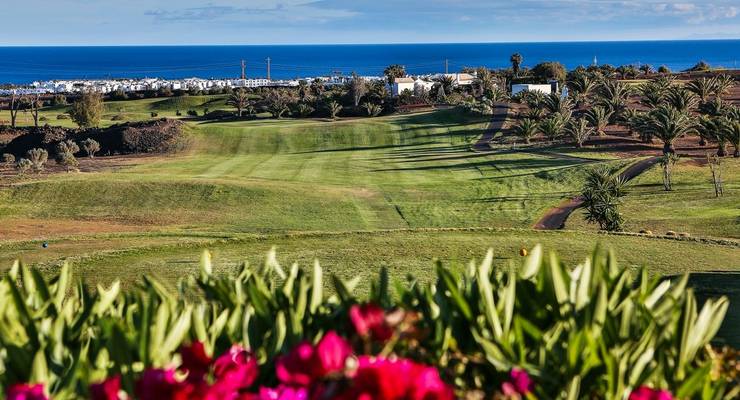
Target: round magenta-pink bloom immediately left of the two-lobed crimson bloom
[{"x": 236, "y": 369}]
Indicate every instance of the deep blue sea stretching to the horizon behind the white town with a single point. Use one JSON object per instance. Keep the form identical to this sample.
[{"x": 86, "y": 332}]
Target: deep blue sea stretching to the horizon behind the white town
[{"x": 26, "y": 64}]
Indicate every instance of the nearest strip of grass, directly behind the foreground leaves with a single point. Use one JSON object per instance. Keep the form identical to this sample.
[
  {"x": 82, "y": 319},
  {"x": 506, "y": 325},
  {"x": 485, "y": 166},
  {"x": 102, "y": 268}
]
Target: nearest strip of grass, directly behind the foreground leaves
[{"x": 356, "y": 254}]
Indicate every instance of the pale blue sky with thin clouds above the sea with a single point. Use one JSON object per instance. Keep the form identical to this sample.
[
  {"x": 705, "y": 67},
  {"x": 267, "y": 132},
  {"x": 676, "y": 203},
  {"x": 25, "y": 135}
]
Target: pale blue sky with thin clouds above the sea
[{"x": 183, "y": 22}]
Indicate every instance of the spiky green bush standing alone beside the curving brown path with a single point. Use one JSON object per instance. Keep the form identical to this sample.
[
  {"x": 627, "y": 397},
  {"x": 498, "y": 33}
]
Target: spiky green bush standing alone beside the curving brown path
[{"x": 602, "y": 196}]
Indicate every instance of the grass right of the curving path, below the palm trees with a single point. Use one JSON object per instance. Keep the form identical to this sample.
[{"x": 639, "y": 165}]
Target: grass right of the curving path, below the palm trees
[{"x": 690, "y": 207}]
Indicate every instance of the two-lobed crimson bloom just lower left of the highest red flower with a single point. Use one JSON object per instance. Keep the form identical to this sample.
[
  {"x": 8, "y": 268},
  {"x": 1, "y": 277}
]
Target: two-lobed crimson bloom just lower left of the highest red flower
[{"x": 306, "y": 363}]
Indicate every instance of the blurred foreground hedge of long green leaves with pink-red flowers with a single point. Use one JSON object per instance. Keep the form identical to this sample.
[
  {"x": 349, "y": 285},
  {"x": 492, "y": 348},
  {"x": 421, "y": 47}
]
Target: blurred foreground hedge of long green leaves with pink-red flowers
[{"x": 541, "y": 330}]
